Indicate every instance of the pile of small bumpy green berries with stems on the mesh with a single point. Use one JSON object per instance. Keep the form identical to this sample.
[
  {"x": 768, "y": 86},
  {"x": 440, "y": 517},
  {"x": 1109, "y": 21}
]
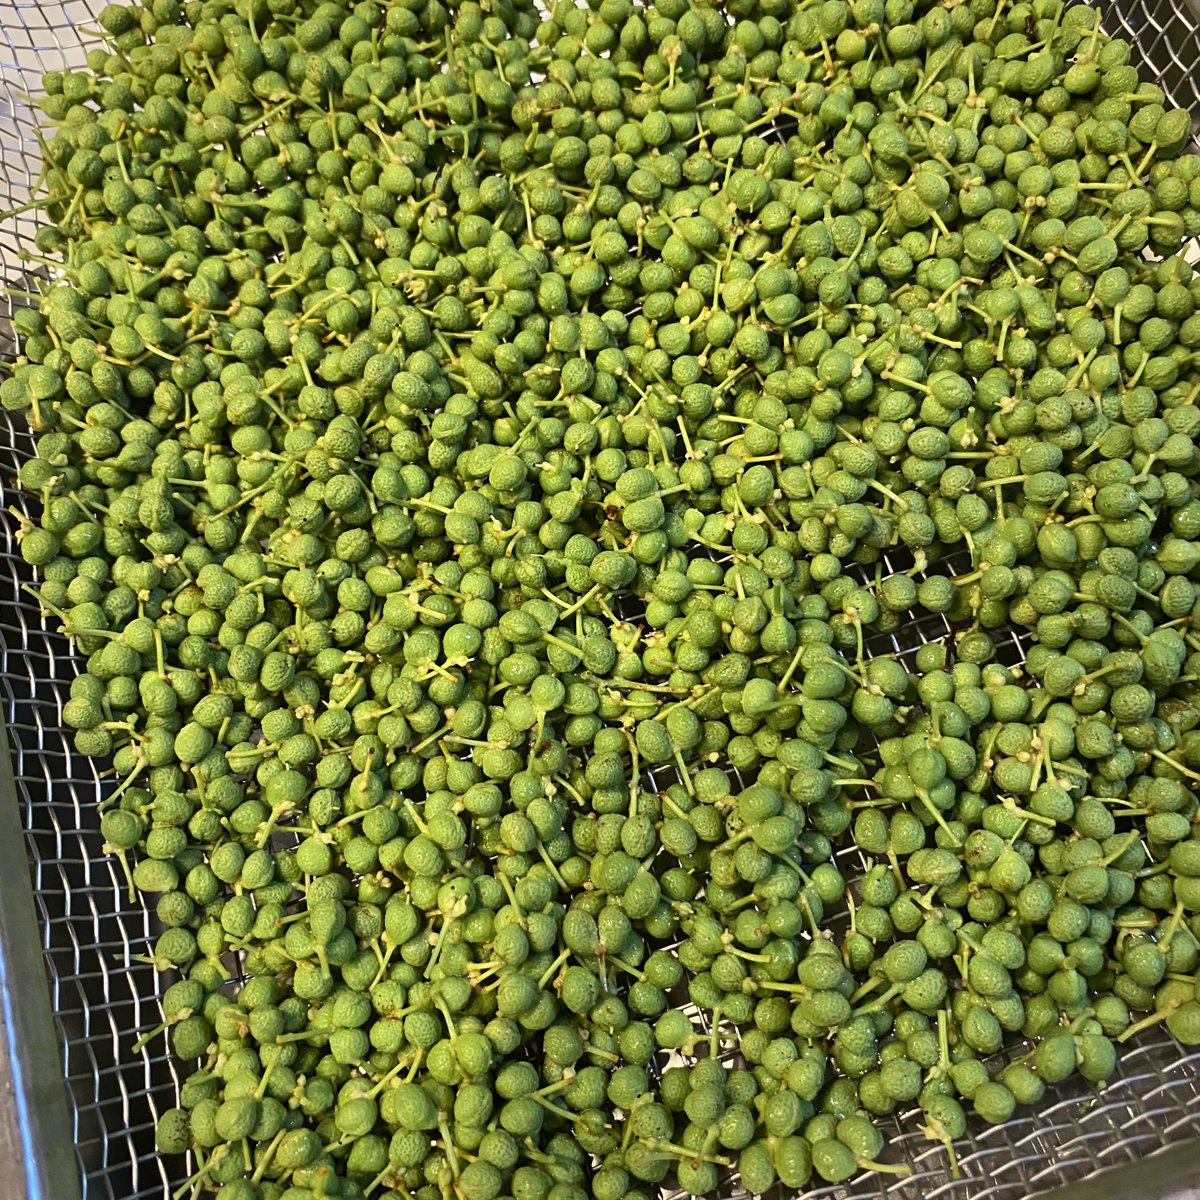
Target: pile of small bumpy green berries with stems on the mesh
[{"x": 483, "y": 461}]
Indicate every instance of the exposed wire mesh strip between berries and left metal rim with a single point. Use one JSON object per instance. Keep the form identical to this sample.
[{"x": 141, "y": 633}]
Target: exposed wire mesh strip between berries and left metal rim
[{"x": 89, "y": 929}]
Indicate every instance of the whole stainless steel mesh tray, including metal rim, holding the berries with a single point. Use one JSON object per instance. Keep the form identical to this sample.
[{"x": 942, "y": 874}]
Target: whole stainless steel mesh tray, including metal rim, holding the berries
[{"x": 85, "y": 932}]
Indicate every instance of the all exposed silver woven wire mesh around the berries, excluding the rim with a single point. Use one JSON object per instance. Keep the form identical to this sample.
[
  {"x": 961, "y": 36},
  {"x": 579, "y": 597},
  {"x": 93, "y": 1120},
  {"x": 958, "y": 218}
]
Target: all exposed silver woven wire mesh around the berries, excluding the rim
[{"x": 92, "y": 933}]
